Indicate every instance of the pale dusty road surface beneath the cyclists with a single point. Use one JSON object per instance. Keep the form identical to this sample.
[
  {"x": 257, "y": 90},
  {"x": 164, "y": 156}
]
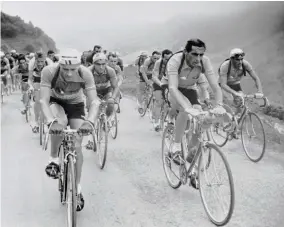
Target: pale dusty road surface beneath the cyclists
[{"x": 132, "y": 189}]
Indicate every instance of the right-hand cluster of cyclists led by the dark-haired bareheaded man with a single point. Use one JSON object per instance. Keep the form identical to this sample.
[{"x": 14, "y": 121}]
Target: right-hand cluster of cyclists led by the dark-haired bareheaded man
[{"x": 183, "y": 79}]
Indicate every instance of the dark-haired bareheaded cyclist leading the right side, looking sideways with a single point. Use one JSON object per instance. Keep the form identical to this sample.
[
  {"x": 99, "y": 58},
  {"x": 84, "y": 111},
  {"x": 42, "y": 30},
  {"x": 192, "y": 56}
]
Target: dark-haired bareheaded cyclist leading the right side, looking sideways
[{"x": 185, "y": 70}]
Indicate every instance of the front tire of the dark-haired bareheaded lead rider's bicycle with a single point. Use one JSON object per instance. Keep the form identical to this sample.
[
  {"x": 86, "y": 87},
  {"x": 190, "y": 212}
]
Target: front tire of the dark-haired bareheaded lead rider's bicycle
[{"x": 231, "y": 183}]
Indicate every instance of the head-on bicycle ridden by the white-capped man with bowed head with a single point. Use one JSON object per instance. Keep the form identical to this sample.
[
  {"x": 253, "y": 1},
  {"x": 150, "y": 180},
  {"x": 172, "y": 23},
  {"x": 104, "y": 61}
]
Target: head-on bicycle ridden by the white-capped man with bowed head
[{"x": 67, "y": 175}]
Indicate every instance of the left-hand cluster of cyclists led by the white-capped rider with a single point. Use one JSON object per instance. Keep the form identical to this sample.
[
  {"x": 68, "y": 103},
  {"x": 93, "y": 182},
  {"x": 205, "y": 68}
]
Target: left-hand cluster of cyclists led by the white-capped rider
[{"x": 63, "y": 89}]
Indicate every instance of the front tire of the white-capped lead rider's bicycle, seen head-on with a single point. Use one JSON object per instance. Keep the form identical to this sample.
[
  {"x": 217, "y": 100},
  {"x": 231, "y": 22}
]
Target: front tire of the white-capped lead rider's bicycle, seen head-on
[{"x": 71, "y": 192}]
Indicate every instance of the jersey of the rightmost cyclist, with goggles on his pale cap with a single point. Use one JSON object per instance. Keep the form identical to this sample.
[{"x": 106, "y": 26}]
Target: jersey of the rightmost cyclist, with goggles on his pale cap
[{"x": 235, "y": 75}]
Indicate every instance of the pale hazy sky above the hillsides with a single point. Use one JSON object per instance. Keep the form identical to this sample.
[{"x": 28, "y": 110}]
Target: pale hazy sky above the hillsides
[{"x": 66, "y": 20}]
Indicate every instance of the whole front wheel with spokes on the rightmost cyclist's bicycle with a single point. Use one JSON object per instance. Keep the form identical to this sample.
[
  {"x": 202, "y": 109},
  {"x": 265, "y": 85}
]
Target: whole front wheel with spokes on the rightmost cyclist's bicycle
[{"x": 253, "y": 137}]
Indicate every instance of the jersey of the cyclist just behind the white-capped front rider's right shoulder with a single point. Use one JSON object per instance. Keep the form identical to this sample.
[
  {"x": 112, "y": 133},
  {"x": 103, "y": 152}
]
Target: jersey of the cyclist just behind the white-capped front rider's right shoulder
[{"x": 102, "y": 81}]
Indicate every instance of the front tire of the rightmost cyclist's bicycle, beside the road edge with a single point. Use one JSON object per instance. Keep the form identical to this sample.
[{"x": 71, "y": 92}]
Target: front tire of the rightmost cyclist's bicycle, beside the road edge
[{"x": 264, "y": 138}]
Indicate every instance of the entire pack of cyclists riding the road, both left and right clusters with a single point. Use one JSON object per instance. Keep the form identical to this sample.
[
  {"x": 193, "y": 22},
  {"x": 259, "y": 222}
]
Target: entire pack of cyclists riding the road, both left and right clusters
[{"x": 65, "y": 86}]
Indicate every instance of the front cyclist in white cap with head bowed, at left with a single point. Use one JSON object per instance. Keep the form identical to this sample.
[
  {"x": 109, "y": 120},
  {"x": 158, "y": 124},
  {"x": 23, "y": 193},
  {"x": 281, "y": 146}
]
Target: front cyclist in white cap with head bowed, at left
[{"x": 61, "y": 100}]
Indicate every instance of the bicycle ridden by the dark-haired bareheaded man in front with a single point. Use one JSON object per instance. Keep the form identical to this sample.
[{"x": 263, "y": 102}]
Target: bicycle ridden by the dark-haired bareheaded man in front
[{"x": 203, "y": 159}]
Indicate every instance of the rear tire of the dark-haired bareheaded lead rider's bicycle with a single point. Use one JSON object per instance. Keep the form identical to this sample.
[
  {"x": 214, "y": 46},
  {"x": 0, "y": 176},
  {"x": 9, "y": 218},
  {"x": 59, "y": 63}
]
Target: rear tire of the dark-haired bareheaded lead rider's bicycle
[{"x": 168, "y": 129}]
